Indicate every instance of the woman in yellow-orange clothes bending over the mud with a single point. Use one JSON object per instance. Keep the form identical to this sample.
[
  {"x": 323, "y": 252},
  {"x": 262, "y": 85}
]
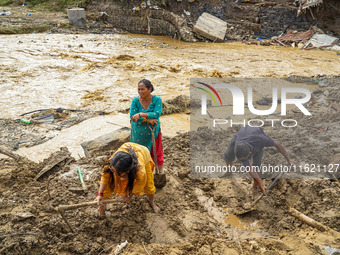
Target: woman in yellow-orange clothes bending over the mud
[{"x": 127, "y": 172}]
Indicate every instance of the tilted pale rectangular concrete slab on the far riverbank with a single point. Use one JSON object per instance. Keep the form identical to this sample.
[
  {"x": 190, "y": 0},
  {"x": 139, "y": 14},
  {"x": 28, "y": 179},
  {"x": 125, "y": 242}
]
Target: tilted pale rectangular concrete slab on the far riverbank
[{"x": 211, "y": 27}]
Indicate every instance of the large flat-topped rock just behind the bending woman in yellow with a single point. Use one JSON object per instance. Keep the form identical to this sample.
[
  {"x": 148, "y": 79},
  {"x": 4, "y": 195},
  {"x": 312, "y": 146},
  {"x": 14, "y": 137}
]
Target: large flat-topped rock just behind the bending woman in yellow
[{"x": 106, "y": 142}]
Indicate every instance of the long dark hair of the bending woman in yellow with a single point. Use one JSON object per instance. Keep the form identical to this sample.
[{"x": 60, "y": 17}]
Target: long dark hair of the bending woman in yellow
[{"x": 126, "y": 162}]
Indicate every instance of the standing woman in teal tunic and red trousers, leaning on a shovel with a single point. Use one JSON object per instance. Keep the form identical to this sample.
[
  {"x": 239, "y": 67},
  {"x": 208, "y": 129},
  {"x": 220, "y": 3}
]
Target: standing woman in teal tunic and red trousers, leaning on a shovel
[{"x": 147, "y": 108}]
